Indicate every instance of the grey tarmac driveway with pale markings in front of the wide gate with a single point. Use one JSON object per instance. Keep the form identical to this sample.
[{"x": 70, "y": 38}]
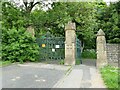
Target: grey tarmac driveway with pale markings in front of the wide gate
[{"x": 32, "y": 75}]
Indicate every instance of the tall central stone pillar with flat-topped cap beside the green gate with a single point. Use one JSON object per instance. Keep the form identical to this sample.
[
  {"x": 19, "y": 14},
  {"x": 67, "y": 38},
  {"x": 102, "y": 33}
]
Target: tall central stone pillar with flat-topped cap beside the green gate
[{"x": 70, "y": 43}]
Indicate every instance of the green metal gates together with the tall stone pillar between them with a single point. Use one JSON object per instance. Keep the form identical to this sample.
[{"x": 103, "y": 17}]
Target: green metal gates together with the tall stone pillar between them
[{"x": 66, "y": 48}]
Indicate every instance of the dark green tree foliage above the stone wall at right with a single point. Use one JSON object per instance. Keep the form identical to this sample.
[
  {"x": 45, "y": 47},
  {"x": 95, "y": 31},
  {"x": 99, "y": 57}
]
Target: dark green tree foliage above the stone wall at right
[{"x": 108, "y": 20}]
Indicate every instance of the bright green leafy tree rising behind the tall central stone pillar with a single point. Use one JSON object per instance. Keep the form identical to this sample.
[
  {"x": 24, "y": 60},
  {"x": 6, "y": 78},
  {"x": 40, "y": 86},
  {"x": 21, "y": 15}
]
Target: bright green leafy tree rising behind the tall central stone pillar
[{"x": 82, "y": 13}]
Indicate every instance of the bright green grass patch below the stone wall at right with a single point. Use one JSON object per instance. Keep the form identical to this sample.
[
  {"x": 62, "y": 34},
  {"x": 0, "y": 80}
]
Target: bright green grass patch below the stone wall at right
[{"x": 110, "y": 76}]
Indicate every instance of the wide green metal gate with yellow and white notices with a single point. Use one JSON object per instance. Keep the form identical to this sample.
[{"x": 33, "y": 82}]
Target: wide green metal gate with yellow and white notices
[{"x": 51, "y": 47}]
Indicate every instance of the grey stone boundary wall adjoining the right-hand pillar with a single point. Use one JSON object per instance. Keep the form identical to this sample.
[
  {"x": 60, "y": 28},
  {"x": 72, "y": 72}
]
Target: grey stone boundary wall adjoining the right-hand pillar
[{"x": 112, "y": 54}]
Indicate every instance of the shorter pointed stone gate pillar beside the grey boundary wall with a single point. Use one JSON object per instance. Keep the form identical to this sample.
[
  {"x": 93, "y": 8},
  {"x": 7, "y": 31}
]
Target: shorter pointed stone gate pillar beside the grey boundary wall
[{"x": 101, "y": 49}]
